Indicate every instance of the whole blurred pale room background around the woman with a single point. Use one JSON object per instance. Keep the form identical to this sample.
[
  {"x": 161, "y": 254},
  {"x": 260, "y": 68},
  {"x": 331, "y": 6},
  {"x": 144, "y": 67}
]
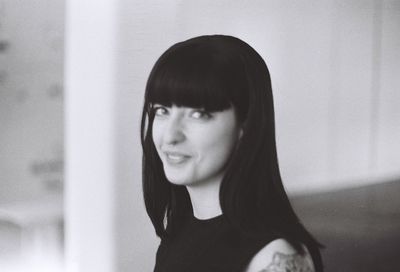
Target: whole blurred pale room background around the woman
[{"x": 72, "y": 77}]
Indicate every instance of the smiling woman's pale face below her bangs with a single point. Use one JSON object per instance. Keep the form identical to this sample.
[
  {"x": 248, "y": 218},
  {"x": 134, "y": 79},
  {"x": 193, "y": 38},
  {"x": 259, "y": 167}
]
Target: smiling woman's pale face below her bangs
[{"x": 194, "y": 145}]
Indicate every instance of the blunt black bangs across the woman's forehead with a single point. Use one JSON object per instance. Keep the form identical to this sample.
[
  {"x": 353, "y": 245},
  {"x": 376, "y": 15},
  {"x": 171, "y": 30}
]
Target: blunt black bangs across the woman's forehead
[{"x": 198, "y": 76}]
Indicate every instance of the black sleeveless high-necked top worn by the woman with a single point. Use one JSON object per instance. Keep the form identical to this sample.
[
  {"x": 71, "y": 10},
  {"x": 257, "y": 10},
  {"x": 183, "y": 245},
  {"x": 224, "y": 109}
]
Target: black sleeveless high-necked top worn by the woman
[{"x": 210, "y": 245}]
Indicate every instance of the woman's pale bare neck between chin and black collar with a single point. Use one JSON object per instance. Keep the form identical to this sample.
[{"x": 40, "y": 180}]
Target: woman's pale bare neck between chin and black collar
[{"x": 205, "y": 200}]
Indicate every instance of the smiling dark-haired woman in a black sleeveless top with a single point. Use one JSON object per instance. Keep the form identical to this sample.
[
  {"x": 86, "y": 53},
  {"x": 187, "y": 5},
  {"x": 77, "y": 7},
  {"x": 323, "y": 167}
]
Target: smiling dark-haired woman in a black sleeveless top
[{"x": 211, "y": 181}]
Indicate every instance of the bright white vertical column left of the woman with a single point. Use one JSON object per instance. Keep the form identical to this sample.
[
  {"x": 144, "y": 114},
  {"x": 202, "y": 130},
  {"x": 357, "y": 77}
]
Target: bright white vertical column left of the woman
[{"x": 90, "y": 135}]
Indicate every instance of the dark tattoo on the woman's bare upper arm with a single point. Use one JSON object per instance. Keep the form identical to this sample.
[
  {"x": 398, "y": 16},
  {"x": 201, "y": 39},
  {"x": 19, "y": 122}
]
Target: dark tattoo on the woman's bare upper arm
[{"x": 289, "y": 263}]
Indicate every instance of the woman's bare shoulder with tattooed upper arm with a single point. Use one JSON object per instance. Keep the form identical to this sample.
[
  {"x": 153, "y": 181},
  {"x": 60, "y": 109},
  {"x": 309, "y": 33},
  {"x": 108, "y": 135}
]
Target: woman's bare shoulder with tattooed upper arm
[{"x": 279, "y": 256}]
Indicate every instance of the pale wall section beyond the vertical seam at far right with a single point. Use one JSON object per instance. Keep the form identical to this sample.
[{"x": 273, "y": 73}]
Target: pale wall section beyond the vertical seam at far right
[{"x": 388, "y": 120}]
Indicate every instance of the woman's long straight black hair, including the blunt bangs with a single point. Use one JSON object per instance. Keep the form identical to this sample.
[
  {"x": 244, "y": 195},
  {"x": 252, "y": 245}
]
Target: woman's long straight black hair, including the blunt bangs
[{"x": 216, "y": 72}]
